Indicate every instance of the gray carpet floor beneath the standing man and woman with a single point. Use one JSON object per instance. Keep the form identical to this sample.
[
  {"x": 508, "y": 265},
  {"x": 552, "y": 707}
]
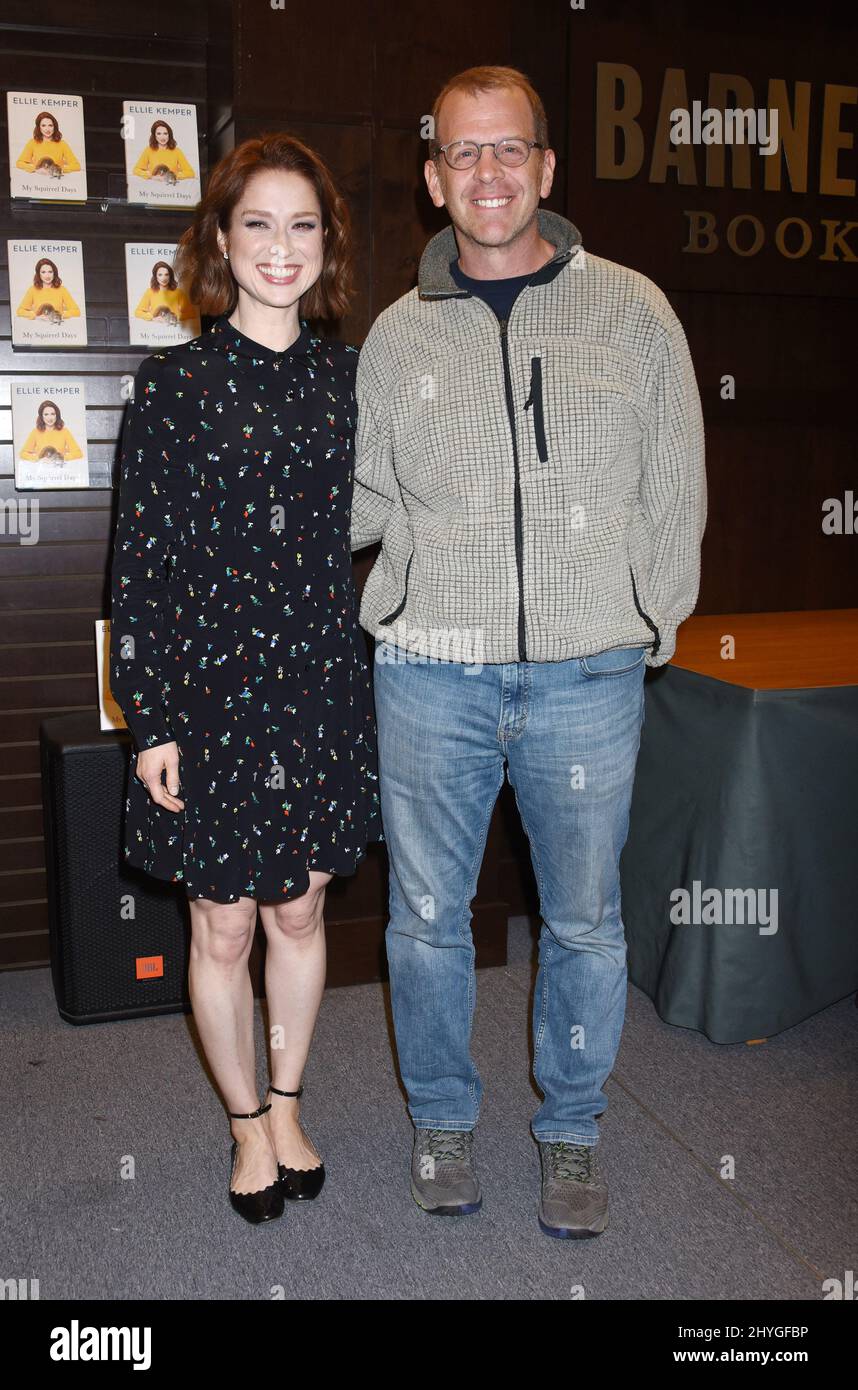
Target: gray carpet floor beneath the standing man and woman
[{"x": 79, "y": 1100}]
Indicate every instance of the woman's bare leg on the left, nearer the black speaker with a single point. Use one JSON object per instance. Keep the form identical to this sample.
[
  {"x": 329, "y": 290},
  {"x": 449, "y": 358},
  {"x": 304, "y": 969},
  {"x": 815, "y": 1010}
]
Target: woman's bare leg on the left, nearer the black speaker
[{"x": 222, "y": 996}]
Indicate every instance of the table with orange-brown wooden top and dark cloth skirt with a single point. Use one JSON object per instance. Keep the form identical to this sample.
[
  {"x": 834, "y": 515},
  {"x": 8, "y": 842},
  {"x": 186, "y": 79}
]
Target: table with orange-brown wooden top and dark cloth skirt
[{"x": 747, "y": 779}]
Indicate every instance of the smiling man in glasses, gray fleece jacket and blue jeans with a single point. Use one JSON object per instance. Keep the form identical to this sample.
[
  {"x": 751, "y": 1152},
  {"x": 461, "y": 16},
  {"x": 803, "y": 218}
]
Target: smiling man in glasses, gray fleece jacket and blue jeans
[{"x": 531, "y": 454}]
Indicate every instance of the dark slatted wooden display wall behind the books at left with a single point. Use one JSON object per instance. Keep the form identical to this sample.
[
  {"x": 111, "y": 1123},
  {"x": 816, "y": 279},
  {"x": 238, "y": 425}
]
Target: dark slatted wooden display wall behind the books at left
[{"x": 54, "y": 591}]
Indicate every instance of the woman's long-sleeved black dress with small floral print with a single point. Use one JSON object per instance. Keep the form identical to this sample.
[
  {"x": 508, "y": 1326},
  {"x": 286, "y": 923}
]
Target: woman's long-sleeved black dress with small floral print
[{"x": 234, "y": 616}]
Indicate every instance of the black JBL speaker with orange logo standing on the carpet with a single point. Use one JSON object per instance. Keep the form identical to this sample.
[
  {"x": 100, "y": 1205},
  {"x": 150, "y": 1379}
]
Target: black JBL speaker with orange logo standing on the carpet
[{"x": 119, "y": 938}]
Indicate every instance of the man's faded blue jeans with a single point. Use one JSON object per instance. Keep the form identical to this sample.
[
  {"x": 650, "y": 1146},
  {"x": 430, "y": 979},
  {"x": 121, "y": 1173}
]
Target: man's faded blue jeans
[{"x": 569, "y": 733}]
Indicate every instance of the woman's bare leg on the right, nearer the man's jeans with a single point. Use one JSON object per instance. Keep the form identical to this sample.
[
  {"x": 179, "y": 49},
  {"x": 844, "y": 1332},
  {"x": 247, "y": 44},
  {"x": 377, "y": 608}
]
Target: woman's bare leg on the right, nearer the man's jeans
[{"x": 296, "y": 976}]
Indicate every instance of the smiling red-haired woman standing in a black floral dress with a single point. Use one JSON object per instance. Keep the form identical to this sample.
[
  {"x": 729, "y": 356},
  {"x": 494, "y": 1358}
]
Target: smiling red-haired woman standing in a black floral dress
[{"x": 236, "y": 651}]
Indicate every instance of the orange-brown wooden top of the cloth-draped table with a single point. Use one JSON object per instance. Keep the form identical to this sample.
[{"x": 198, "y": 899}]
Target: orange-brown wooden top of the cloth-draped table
[{"x": 774, "y": 651}]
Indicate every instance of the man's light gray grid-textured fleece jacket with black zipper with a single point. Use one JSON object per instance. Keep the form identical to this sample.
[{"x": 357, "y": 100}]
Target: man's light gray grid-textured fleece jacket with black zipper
[{"x": 537, "y": 486}]
